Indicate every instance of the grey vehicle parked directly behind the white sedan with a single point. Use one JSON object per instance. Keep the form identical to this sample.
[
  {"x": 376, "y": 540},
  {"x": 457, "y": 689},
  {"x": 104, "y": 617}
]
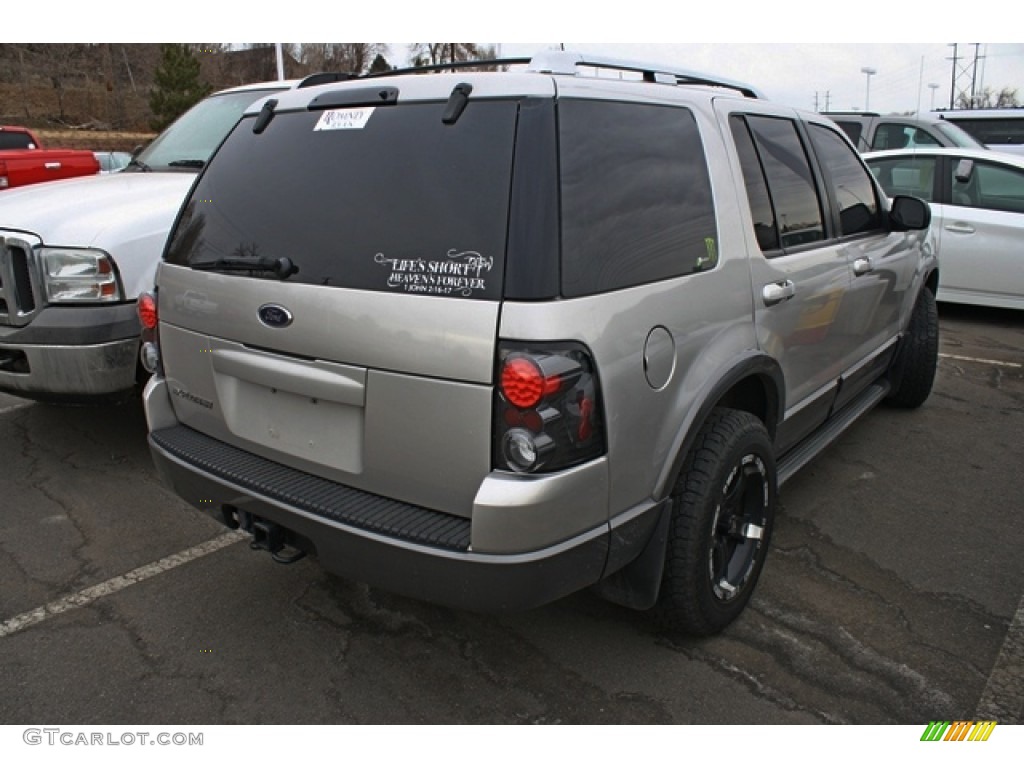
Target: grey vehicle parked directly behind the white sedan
[{"x": 871, "y": 132}]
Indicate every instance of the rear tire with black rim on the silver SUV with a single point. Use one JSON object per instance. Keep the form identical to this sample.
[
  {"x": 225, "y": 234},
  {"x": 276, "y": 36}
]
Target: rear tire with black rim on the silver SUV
[{"x": 723, "y": 507}]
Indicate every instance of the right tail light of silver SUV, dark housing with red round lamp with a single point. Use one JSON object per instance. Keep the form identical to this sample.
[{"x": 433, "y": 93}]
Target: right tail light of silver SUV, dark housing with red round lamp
[{"x": 547, "y": 409}]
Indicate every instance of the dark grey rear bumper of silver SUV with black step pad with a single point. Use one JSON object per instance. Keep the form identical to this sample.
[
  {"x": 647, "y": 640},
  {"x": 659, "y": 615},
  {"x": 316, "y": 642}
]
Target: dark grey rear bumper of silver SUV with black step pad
[{"x": 398, "y": 547}]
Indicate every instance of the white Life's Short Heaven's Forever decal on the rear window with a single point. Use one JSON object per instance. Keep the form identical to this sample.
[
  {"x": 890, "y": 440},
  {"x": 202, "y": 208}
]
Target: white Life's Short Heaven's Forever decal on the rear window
[{"x": 461, "y": 274}]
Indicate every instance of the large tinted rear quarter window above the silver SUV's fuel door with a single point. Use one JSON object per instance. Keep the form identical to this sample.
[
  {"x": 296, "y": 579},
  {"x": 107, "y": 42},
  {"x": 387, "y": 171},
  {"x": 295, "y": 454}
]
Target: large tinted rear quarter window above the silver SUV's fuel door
[{"x": 636, "y": 196}]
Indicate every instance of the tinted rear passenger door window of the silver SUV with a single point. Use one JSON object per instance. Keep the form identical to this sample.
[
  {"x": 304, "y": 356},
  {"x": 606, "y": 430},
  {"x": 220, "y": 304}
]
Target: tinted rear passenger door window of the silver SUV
[{"x": 777, "y": 160}]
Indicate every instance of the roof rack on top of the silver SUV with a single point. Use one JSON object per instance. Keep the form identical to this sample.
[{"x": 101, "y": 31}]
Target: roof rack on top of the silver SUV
[{"x": 556, "y": 63}]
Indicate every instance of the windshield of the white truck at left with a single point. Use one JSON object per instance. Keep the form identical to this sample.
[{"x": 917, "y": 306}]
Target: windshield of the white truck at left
[{"x": 189, "y": 143}]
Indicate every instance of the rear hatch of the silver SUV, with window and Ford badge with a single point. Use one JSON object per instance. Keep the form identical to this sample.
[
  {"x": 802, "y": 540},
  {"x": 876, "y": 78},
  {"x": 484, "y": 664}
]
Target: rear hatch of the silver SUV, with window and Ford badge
[{"x": 330, "y": 295}]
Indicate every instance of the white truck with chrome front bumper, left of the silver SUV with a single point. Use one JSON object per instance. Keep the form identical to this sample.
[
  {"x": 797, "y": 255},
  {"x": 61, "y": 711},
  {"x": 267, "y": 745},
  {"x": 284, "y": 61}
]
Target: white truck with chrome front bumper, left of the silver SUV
[{"x": 75, "y": 255}]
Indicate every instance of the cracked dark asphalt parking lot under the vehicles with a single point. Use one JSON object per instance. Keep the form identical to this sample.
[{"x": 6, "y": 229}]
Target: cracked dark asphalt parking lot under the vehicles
[{"x": 892, "y": 595}]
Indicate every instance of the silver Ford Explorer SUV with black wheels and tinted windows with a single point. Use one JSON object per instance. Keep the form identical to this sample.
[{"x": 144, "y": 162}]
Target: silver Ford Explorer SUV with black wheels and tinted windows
[{"x": 490, "y": 338}]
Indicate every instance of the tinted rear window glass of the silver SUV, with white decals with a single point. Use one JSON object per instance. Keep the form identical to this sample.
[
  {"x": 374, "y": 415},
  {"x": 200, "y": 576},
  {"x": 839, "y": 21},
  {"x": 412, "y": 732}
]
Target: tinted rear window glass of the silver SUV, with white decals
[{"x": 383, "y": 198}]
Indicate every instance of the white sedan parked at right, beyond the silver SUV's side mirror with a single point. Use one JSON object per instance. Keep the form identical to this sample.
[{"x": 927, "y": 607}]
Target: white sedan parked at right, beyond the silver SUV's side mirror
[{"x": 977, "y": 200}]
